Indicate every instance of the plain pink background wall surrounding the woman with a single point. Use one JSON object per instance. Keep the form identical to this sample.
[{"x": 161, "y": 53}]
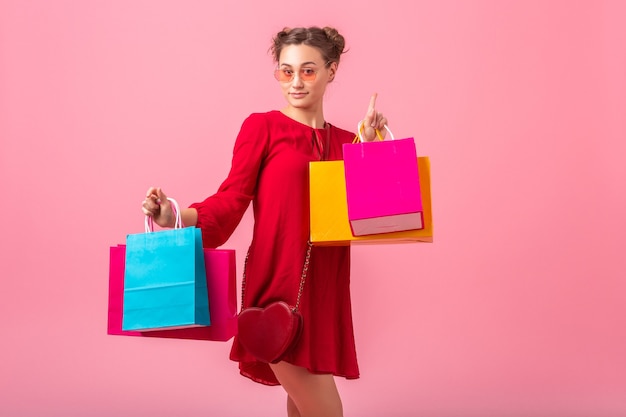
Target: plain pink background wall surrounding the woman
[{"x": 517, "y": 309}]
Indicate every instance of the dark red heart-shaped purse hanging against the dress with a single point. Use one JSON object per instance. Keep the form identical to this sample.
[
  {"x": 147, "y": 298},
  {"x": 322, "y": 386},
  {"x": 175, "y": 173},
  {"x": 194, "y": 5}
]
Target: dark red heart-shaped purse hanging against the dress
[{"x": 268, "y": 333}]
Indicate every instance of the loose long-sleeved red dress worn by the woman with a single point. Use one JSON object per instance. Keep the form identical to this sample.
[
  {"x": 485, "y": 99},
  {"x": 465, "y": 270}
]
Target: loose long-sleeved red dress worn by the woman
[{"x": 270, "y": 168}]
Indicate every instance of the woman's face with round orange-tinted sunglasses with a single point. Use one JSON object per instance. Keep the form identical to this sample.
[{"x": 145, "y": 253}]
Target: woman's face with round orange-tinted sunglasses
[{"x": 301, "y": 60}]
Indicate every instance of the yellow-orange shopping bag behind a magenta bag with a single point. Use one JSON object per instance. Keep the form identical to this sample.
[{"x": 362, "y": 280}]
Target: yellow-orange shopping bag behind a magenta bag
[{"x": 329, "y": 211}]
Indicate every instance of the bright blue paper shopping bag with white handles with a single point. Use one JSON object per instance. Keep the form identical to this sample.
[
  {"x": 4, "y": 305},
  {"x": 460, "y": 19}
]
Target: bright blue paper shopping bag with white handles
[{"x": 165, "y": 280}]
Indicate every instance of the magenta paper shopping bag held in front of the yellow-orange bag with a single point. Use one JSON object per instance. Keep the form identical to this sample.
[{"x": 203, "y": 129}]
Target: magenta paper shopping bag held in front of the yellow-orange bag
[{"x": 382, "y": 185}]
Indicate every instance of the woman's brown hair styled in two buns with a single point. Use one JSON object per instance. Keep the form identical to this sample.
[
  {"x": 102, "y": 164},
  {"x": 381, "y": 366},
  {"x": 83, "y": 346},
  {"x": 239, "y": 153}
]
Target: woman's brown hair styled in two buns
[{"x": 329, "y": 42}]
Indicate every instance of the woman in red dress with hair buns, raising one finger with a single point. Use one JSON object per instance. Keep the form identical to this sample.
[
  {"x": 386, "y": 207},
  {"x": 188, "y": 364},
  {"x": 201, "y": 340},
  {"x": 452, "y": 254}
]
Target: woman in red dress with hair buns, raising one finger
[{"x": 270, "y": 168}]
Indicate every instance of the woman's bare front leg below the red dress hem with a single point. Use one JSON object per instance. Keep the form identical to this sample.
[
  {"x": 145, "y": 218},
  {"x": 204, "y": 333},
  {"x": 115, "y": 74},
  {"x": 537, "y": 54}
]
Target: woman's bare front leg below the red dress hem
[{"x": 313, "y": 395}]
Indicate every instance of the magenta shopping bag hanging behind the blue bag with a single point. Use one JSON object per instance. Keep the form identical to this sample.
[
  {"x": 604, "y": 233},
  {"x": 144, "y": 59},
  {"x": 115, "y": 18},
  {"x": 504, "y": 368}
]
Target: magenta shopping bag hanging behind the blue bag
[{"x": 221, "y": 287}]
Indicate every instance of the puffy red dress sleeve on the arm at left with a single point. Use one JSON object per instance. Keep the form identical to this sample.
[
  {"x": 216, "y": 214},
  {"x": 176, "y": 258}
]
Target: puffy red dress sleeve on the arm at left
[{"x": 219, "y": 214}]
